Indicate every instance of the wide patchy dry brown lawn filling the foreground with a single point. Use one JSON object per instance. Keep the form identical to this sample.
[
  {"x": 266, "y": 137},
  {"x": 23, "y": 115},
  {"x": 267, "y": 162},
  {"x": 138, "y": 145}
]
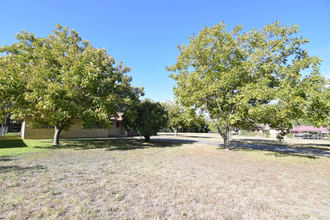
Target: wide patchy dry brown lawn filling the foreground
[{"x": 135, "y": 180}]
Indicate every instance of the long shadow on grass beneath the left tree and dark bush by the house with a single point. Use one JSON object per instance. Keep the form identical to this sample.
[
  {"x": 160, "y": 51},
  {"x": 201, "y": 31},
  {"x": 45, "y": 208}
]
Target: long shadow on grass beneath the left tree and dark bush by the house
[{"x": 111, "y": 144}]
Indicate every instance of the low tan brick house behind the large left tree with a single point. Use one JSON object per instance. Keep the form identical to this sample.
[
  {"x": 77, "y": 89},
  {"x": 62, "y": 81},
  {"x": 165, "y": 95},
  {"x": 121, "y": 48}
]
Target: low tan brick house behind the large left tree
[{"x": 46, "y": 132}]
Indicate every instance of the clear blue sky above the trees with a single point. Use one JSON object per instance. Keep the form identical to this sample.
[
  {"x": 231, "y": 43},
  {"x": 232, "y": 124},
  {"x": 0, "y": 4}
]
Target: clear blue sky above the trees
[{"x": 144, "y": 34}]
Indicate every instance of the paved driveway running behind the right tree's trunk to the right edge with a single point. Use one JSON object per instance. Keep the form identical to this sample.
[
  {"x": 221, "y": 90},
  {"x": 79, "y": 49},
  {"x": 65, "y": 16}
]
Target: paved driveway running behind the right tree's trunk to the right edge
[{"x": 219, "y": 143}]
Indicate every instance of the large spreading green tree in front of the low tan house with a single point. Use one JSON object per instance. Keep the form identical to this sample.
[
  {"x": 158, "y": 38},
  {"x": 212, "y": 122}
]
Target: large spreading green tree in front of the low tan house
[{"x": 59, "y": 78}]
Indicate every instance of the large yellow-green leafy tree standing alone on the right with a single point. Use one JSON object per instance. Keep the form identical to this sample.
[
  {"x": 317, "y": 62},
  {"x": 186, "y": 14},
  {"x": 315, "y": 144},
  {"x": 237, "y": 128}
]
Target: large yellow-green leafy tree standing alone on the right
[{"x": 242, "y": 78}]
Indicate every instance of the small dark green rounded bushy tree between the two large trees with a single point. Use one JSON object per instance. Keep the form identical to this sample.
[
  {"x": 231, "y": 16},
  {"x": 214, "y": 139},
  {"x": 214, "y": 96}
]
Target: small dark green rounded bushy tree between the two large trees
[{"x": 147, "y": 118}]
